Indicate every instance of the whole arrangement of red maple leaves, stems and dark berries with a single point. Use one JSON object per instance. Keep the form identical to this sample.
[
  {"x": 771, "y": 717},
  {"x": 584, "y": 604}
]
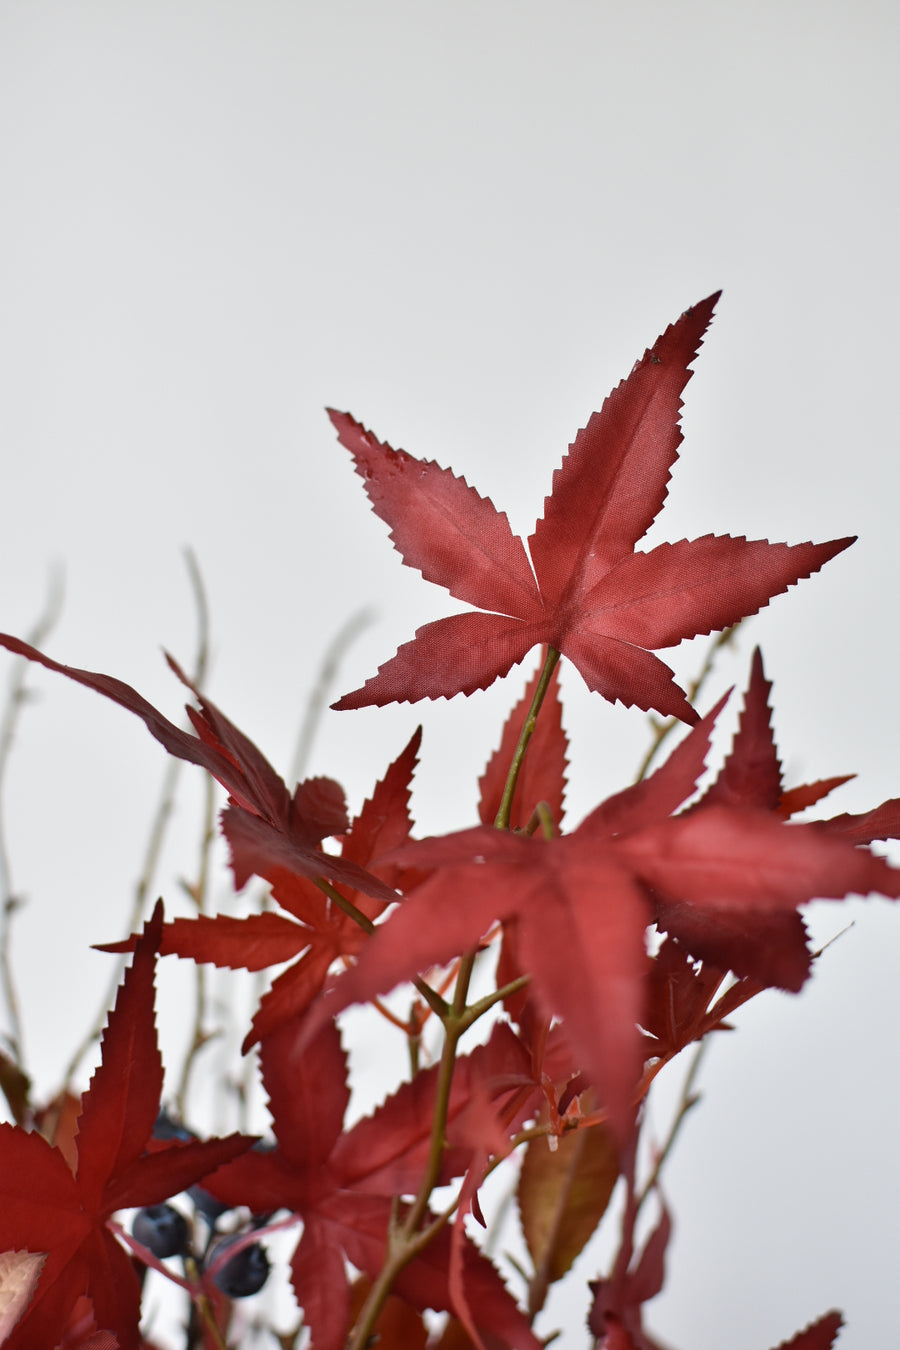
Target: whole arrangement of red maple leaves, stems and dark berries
[{"x": 608, "y": 948}]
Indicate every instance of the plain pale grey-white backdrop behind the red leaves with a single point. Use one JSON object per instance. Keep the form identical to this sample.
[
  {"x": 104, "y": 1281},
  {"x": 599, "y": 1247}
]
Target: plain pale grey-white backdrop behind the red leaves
[{"x": 462, "y": 223}]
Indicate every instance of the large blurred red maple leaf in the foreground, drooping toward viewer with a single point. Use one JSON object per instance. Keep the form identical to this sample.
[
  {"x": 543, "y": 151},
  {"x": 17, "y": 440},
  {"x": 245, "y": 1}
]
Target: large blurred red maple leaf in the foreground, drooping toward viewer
[{"x": 582, "y": 905}]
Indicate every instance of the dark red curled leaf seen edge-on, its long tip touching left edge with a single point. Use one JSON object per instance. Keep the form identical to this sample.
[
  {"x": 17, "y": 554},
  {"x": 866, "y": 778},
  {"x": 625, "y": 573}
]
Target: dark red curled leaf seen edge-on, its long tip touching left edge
[{"x": 265, "y": 824}]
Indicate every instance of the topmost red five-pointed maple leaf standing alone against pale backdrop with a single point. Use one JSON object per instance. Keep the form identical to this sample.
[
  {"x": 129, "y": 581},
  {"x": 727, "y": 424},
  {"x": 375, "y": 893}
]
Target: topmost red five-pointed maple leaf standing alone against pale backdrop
[{"x": 581, "y": 588}]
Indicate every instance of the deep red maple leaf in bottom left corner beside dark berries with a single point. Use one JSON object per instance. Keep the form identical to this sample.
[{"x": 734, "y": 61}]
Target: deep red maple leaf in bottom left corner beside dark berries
[{"x": 47, "y": 1208}]
